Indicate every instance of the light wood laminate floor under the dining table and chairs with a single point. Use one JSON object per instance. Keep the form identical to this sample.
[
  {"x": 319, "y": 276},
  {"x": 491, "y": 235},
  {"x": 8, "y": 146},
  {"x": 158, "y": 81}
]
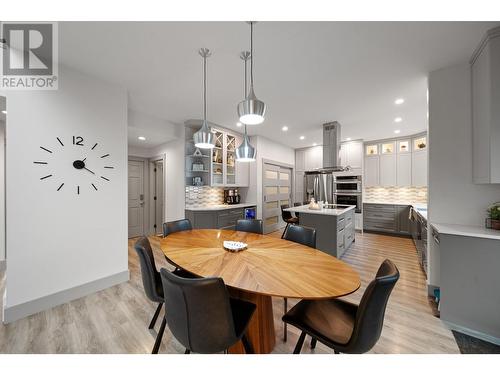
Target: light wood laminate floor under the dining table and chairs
[{"x": 115, "y": 320}]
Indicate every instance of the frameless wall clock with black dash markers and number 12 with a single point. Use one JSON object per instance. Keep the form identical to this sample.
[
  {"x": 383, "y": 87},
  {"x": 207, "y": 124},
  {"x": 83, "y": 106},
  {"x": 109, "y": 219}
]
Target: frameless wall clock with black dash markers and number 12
[{"x": 74, "y": 164}]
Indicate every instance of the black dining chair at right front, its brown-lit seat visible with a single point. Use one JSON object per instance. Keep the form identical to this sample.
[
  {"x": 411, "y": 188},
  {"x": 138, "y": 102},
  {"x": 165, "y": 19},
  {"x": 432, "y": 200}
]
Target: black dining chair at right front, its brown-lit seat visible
[{"x": 344, "y": 326}]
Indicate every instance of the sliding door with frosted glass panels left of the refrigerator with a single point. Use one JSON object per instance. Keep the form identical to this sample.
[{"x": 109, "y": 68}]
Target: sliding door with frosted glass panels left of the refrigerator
[{"x": 276, "y": 191}]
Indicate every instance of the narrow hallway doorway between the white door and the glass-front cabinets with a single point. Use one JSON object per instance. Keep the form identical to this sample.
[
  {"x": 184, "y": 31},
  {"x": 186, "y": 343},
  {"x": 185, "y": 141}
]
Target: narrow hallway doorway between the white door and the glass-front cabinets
[{"x": 157, "y": 193}]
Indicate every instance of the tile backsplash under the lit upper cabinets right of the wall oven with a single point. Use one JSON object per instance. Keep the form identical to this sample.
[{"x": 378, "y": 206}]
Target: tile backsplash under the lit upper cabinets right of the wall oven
[{"x": 395, "y": 194}]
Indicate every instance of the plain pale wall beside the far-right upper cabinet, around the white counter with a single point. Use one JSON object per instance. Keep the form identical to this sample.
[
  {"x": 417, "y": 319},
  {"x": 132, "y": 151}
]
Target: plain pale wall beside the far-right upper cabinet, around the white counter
[{"x": 453, "y": 198}]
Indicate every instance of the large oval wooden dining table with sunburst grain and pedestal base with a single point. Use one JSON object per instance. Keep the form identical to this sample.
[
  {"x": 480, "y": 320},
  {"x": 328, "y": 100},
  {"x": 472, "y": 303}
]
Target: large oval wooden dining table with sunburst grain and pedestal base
[{"x": 269, "y": 267}]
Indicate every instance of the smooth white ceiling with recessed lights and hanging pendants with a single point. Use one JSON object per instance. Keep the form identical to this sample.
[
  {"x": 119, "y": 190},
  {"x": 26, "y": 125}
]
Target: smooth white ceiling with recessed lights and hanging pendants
[{"x": 308, "y": 73}]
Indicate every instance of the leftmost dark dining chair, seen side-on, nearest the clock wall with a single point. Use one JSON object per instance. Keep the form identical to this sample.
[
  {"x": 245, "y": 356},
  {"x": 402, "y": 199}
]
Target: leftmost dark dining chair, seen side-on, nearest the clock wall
[{"x": 151, "y": 281}]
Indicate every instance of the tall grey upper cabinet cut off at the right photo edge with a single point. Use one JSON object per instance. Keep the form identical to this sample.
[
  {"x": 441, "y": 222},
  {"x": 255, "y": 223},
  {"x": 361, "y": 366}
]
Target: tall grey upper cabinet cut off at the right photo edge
[{"x": 485, "y": 67}]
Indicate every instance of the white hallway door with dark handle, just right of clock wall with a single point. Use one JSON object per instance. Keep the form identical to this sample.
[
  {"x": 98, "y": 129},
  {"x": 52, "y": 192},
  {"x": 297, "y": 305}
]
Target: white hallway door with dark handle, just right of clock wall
[{"x": 135, "y": 198}]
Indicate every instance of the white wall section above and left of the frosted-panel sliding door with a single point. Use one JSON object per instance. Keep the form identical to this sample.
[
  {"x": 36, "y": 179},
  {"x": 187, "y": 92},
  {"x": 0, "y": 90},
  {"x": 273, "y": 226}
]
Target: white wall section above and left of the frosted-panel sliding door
[{"x": 268, "y": 150}]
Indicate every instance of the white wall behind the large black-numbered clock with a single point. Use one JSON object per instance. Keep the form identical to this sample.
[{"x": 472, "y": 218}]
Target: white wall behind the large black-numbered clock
[{"x": 57, "y": 240}]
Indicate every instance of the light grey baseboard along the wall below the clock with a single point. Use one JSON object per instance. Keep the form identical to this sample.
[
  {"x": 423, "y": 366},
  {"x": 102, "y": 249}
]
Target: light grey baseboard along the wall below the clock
[{"x": 13, "y": 313}]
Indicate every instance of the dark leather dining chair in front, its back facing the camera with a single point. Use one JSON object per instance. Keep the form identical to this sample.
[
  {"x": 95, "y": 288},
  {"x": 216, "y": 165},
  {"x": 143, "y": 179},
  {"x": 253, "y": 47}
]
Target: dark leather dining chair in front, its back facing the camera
[{"x": 202, "y": 316}]
